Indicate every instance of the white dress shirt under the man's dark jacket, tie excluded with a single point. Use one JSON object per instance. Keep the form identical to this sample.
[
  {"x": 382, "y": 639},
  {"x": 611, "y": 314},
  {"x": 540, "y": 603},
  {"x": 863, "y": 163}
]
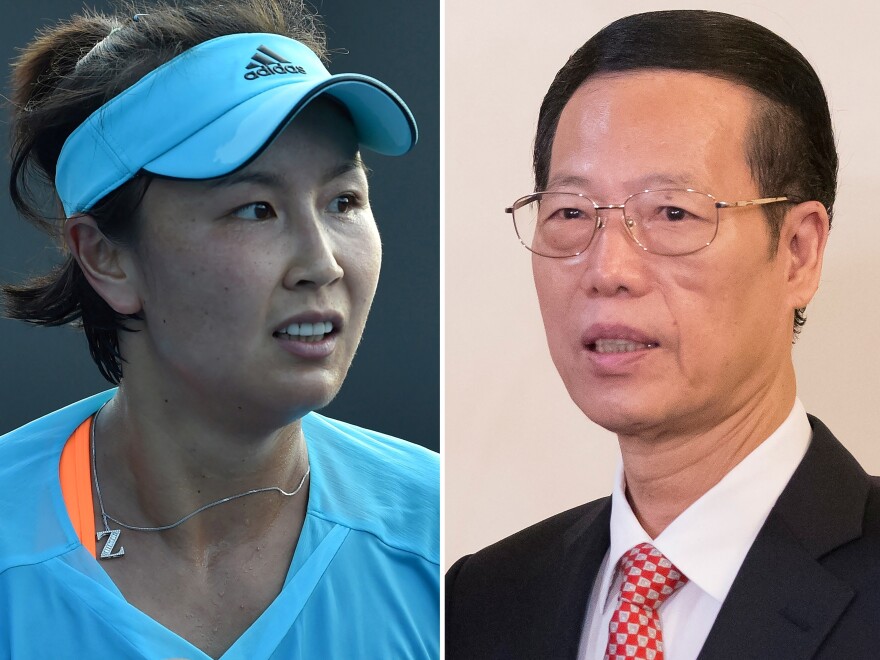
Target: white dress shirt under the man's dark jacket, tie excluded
[{"x": 707, "y": 542}]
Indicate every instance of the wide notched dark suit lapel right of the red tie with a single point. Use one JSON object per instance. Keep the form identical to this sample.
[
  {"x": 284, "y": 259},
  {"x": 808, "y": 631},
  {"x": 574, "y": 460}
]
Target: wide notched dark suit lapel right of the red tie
[{"x": 783, "y": 602}]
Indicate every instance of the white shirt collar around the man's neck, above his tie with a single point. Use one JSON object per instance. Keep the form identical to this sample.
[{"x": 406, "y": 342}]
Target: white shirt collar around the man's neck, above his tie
[{"x": 709, "y": 540}]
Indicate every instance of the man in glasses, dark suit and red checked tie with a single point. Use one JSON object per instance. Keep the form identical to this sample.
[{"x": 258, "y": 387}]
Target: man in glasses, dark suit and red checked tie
[{"x": 686, "y": 170}]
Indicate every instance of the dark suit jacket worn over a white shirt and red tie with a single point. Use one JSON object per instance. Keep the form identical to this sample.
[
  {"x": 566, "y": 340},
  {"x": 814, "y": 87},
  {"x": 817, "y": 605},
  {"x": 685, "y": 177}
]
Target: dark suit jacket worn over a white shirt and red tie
[{"x": 809, "y": 586}]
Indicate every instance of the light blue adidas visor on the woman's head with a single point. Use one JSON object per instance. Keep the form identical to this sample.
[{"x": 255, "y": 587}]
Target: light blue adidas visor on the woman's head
[{"x": 212, "y": 109}]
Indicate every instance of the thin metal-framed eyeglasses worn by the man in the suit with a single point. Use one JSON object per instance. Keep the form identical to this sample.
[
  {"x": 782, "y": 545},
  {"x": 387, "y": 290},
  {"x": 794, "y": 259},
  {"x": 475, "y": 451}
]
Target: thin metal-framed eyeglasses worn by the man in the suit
[{"x": 667, "y": 222}]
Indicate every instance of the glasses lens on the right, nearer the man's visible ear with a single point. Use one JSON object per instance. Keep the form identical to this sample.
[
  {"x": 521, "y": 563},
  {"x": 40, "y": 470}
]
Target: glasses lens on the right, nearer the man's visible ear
[{"x": 672, "y": 222}]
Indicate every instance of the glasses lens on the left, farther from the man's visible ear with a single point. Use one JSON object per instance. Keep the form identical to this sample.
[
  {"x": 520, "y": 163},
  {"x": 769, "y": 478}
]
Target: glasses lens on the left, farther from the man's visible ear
[{"x": 555, "y": 224}]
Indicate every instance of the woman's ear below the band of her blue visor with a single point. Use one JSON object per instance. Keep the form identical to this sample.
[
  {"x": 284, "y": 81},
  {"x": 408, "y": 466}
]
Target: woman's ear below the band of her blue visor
[{"x": 108, "y": 267}]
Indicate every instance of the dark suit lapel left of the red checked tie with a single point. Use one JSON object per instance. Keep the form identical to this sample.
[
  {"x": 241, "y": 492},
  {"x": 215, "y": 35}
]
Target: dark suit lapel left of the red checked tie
[{"x": 584, "y": 547}]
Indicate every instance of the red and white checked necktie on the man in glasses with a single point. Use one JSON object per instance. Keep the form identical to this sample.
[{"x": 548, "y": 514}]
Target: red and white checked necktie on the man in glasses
[{"x": 649, "y": 579}]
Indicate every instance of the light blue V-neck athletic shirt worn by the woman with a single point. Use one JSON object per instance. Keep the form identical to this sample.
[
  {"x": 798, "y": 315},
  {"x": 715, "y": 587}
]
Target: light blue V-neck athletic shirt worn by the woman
[{"x": 363, "y": 583}]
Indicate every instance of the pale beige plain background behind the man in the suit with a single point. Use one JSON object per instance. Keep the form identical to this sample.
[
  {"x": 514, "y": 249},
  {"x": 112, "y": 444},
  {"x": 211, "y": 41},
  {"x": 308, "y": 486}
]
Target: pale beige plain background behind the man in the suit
[{"x": 516, "y": 449}]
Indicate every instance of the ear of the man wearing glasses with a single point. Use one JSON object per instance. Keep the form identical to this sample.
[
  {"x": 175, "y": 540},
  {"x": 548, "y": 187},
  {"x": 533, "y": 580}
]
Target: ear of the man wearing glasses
[{"x": 802, "y": 243}]
